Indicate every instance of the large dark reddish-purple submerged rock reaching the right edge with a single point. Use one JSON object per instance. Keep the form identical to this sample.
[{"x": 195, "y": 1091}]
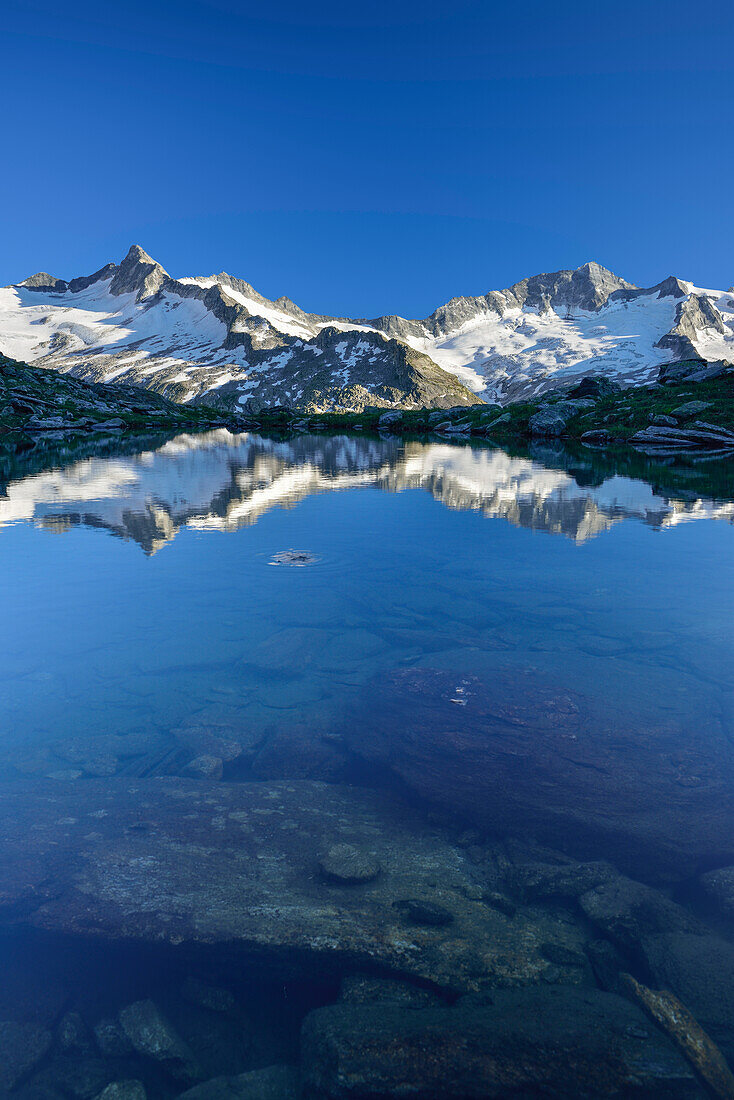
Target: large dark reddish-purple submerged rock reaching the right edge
[{"x": 517, "y": 756}]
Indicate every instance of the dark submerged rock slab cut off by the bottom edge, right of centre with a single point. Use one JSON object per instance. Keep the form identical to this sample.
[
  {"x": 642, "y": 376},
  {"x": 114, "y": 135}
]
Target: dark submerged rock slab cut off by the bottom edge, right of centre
[{"x": 527, "y": 1043}]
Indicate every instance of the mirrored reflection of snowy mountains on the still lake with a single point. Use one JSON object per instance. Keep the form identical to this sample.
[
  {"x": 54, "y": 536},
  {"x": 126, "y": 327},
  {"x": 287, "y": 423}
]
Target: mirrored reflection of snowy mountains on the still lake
[{"x": 222, "y": 481}]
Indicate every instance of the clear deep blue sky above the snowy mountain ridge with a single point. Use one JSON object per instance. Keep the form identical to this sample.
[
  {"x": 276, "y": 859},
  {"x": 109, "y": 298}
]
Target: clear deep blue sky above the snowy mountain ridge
[{"x": 369, "y": 159}]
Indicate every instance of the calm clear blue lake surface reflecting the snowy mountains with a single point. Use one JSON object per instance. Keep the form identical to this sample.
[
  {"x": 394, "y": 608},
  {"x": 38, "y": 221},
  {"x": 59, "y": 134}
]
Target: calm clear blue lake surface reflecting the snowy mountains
[{"x": 523, "y": 665}]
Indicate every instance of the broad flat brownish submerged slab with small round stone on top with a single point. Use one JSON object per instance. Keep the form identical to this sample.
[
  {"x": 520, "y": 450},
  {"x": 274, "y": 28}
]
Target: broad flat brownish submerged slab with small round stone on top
[{"x": 236, "y": 864}]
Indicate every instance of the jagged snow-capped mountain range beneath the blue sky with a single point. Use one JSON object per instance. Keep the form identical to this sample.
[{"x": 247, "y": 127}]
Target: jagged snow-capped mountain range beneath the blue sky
[{"x": 216, "y": 338}]
